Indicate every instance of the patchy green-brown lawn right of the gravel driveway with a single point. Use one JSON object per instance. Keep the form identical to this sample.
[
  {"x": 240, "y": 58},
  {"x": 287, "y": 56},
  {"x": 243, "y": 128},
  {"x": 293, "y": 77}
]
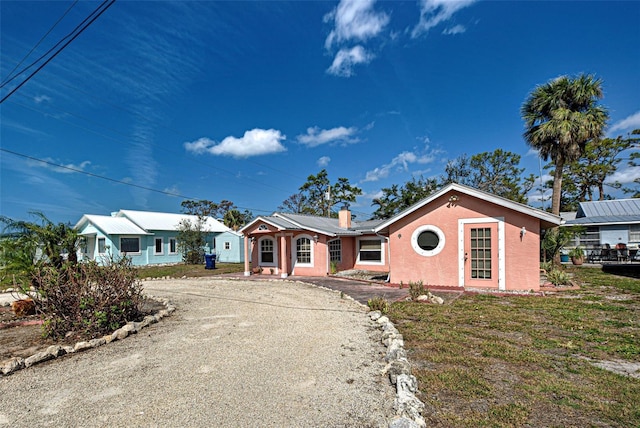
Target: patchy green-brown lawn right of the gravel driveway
[{"x": 515, "y": 361}]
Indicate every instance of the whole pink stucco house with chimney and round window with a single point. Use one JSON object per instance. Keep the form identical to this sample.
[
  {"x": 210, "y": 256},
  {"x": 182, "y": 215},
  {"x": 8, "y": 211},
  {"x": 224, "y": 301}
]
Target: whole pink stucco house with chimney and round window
[{"x": 458, "y": 236}]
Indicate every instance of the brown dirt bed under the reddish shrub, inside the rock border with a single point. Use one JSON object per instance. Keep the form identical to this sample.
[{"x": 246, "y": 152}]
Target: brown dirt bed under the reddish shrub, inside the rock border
[{"x": 24, "y": 336}]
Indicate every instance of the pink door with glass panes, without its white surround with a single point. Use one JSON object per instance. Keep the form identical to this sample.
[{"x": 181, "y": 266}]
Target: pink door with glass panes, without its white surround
[{"x": 481, "y": 264}]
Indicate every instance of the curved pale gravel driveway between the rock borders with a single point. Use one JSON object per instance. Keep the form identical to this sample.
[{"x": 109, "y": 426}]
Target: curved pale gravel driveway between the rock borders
[{"x": 234, "y": 354}]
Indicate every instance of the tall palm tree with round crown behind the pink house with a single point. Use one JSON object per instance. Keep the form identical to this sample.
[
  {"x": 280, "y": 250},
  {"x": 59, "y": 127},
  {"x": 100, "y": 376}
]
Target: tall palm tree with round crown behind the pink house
[{"x": 561, "y": 116}]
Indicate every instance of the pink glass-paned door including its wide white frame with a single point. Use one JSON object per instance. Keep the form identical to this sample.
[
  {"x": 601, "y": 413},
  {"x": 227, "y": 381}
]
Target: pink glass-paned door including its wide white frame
[{"x": 481, "y": 253}]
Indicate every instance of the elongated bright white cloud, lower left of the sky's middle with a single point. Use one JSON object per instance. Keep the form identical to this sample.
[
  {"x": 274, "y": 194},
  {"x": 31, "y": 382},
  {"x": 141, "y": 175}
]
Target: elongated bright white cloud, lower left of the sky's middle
[{"x": 255, "y": 142}]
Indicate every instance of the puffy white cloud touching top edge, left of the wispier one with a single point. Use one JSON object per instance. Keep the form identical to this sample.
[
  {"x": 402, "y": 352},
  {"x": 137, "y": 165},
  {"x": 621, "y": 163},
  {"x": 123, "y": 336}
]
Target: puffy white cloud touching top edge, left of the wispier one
[{"x": 355, "y": 20}]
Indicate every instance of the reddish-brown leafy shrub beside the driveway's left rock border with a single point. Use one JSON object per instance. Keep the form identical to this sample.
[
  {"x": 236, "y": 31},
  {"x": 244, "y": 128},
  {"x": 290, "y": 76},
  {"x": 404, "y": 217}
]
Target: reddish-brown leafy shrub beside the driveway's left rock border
[{"x": 86, "y": 298}]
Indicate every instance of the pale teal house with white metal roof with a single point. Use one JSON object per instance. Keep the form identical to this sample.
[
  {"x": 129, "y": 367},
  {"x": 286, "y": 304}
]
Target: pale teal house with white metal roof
[{"x": 150, "y": 238}]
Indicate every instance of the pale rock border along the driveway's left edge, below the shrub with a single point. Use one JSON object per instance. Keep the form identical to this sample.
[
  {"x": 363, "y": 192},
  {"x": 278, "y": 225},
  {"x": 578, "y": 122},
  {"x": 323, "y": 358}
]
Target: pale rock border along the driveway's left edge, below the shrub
[{"x": 54, "y": 351}]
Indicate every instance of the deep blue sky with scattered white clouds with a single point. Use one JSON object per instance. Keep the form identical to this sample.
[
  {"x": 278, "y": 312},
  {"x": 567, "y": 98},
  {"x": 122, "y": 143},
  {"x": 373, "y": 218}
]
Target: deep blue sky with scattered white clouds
[{"x": 243, "y": 100}]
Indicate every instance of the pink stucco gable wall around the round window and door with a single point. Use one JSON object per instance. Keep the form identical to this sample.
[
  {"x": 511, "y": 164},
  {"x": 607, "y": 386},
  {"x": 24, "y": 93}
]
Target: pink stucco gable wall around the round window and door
[{"x": 522, "y": 269}]
